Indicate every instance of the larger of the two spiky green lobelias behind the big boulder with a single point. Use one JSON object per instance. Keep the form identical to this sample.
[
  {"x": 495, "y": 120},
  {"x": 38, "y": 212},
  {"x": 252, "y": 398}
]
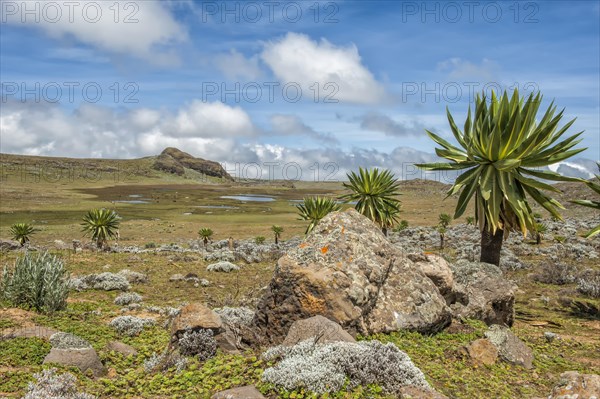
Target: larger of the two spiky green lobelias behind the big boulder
[{"x": 375, "y": 194}]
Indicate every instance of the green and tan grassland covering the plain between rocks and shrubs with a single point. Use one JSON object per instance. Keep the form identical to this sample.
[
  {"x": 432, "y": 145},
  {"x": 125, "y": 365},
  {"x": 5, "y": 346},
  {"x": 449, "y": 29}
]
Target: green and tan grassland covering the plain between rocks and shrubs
[{"x": 55, "y": 201}]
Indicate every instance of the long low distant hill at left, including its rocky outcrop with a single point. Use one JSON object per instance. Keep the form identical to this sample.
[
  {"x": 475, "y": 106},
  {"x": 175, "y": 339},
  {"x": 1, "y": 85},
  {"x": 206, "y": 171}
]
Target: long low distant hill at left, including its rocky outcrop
[{"x": 171, "y": 164}]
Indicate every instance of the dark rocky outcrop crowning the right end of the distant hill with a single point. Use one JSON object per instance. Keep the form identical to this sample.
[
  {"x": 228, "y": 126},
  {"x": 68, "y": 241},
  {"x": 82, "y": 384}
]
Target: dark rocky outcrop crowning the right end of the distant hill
[{"x": 175, "y": 161}]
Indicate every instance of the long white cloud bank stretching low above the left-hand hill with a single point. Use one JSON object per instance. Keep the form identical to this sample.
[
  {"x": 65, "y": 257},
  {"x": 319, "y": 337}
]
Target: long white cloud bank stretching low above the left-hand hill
[{"x": 209, "y": 129}]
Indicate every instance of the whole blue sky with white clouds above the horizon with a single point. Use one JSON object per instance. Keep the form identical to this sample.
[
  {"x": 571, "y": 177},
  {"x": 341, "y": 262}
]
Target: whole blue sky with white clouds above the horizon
[{"x": 390, "y": 68}]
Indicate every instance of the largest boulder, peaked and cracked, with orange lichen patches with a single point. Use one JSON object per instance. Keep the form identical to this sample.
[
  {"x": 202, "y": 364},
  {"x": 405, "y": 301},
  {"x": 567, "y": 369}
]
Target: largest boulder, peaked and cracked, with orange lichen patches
[{"x": 347, "y": 271}]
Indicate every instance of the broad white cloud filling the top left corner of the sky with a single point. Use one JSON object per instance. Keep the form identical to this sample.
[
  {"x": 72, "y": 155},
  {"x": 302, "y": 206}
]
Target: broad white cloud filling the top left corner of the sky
[{"x": 145, "y": 29}]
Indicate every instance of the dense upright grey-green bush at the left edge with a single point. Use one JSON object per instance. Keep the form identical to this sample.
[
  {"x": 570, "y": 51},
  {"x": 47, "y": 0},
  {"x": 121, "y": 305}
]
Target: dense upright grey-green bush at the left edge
[{"x": 38, "y": 282}]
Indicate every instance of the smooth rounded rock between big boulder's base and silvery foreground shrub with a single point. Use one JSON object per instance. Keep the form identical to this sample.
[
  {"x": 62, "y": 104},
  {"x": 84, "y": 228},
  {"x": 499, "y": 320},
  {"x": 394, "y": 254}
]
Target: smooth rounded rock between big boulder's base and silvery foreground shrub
[{"x": 319, "y": 327}]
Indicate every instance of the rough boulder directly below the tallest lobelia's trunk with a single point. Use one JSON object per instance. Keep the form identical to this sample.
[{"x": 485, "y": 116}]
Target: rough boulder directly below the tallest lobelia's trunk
[{"x": 481, "y": 292}]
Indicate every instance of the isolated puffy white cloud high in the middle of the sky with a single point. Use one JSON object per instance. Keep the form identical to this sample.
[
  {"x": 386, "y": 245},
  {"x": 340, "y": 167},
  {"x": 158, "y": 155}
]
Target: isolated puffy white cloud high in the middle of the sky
[{"x": 298, "y": 59}]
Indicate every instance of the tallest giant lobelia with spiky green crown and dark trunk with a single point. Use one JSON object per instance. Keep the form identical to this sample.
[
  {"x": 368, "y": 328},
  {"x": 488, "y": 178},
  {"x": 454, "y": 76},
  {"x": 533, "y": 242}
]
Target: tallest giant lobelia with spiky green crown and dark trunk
[{"x": 500, "y": 147}]
